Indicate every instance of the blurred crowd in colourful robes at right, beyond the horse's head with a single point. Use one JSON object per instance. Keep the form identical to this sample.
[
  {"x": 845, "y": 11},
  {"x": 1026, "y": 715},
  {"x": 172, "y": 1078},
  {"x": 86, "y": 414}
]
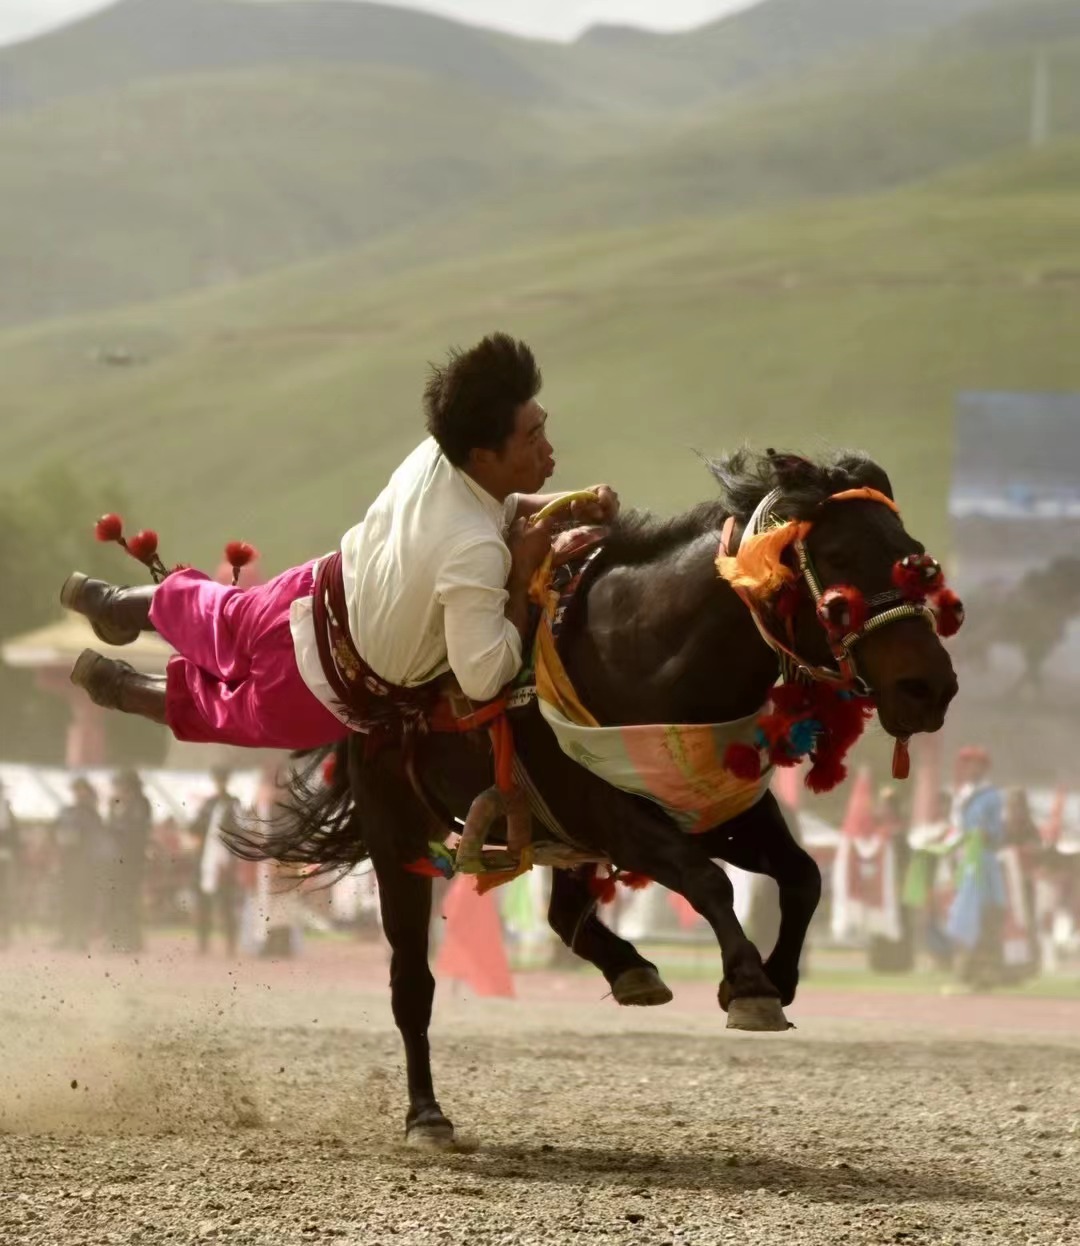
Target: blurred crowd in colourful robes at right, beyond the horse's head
[{"x": 983, "y": 889}]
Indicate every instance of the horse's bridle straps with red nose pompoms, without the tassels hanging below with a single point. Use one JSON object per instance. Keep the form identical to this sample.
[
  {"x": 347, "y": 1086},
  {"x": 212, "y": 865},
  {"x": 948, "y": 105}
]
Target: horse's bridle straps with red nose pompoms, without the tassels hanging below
[{"x": 845, "y": 615}]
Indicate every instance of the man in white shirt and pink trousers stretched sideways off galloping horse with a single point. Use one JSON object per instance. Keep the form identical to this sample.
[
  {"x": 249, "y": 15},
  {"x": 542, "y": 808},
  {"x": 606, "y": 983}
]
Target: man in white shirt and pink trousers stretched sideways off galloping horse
[{"x": 434, "y": 579}]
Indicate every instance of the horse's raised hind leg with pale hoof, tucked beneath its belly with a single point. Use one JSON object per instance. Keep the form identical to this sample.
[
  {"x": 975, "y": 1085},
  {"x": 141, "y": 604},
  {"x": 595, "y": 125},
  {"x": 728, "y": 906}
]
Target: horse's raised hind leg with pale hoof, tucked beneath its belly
[{"x": 572, "y": 916}]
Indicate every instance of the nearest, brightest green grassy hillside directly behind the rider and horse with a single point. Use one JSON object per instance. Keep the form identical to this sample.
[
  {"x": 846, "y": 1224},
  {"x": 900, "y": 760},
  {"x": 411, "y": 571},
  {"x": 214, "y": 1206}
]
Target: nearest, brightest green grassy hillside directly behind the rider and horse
[{"x": 276, "y": 411}]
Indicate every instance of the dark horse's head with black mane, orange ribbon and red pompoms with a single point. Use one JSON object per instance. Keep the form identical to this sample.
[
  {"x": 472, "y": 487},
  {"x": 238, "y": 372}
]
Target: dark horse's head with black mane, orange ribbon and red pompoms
[{"x": 840, "y": 585}]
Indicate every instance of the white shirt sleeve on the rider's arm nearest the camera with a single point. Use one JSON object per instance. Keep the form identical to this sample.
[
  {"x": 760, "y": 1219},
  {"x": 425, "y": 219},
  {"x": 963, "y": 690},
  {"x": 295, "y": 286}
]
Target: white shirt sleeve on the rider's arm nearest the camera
[{"x": 483, "y": 646}]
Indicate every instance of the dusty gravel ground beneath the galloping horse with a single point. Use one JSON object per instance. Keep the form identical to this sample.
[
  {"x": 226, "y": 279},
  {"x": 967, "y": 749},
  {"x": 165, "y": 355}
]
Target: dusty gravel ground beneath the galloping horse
[{"x": 182, "y": 1102}]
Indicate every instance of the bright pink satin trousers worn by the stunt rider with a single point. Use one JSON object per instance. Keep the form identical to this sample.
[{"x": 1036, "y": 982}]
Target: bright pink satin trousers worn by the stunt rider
[{"x": 236, "y": 680}]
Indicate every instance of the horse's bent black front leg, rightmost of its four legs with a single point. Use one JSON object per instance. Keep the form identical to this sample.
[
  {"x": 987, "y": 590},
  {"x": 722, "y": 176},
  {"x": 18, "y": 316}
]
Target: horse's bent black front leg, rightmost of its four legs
[{"x": 762, "y": 843}]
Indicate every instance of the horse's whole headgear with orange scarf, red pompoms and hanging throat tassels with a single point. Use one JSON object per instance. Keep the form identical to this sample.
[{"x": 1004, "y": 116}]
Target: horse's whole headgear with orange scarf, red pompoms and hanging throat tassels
[{"x": 820, "y": 711}]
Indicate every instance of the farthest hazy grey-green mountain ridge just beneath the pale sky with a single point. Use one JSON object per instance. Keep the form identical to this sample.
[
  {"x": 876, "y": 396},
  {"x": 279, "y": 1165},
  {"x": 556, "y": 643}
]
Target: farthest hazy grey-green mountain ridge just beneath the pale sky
[{"x": 615, "y": 69}]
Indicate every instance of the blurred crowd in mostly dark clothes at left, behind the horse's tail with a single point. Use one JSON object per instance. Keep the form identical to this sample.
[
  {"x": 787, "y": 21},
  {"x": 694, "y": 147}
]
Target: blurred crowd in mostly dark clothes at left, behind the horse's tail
[{"x": 105, "y": 870}]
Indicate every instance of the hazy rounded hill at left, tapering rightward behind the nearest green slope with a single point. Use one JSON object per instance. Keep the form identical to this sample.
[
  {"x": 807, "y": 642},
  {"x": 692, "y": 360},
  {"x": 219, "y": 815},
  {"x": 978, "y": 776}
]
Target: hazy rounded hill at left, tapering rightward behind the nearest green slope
[{"x": 184, "y": 183}]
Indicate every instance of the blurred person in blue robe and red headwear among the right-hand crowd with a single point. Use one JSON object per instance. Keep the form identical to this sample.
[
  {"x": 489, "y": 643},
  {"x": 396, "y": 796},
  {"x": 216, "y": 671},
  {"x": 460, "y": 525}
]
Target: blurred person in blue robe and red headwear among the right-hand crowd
[{"x": 977, "y": 918}]
